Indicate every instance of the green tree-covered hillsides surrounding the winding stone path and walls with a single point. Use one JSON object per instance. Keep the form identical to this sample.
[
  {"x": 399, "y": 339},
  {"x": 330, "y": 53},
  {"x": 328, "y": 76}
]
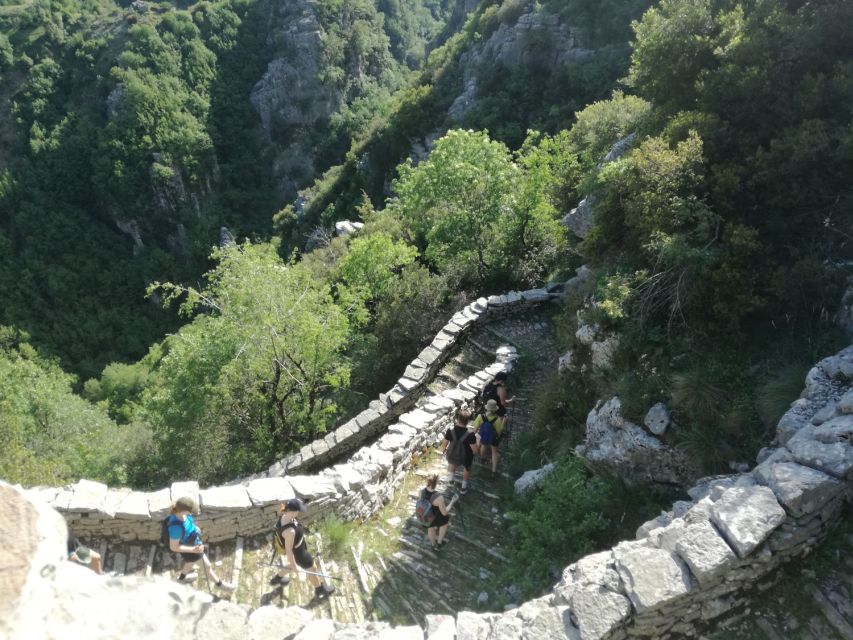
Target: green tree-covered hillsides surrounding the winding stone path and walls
[{"x": 720, "y": 238}]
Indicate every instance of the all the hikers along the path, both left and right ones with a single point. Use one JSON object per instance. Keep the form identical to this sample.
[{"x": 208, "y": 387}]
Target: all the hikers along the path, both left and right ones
[{"x": 473, "y": 433}]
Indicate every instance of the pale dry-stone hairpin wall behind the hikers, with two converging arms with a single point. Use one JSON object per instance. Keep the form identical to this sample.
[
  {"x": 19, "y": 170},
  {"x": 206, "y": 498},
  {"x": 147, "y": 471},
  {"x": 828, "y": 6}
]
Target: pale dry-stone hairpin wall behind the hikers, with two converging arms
[{"x": 352, "y": 489}]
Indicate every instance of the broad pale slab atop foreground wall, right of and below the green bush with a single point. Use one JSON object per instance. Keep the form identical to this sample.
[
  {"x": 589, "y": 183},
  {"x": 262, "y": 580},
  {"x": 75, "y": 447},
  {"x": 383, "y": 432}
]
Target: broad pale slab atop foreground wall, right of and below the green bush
[{"x": 652, "y": 577}]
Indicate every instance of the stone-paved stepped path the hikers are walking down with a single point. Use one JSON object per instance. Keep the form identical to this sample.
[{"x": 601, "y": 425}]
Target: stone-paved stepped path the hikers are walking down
[{"x": 386, "y": 568}]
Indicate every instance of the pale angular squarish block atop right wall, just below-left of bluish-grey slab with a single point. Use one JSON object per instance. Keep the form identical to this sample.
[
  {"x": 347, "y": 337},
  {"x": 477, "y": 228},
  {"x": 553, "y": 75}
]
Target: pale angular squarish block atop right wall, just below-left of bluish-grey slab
[{"x": 746, "y": 516}]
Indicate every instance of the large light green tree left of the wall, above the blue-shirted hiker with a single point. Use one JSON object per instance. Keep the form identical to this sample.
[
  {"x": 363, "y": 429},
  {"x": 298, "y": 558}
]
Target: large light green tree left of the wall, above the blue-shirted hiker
[{"x": 251, "y": 376}]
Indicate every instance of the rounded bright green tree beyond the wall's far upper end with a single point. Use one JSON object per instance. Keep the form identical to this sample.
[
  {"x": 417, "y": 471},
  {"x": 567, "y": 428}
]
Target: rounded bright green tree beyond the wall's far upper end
[{"x": 464, "y": 207}]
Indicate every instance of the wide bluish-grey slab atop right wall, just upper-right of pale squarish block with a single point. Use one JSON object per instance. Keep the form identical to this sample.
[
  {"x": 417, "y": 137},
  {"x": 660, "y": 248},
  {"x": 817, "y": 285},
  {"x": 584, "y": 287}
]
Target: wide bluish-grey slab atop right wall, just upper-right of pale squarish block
[{"x": 800, "y": 490}]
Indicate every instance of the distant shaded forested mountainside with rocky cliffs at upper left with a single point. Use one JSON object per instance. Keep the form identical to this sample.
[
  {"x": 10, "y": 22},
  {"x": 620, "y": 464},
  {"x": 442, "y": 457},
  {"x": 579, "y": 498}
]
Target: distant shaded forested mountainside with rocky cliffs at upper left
[{"x": 132, "y": 132}]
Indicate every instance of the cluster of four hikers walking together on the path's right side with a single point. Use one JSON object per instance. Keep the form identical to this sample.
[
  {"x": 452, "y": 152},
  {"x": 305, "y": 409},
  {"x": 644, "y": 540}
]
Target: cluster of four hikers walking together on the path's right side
[{"x": 474, "y": 433}]
